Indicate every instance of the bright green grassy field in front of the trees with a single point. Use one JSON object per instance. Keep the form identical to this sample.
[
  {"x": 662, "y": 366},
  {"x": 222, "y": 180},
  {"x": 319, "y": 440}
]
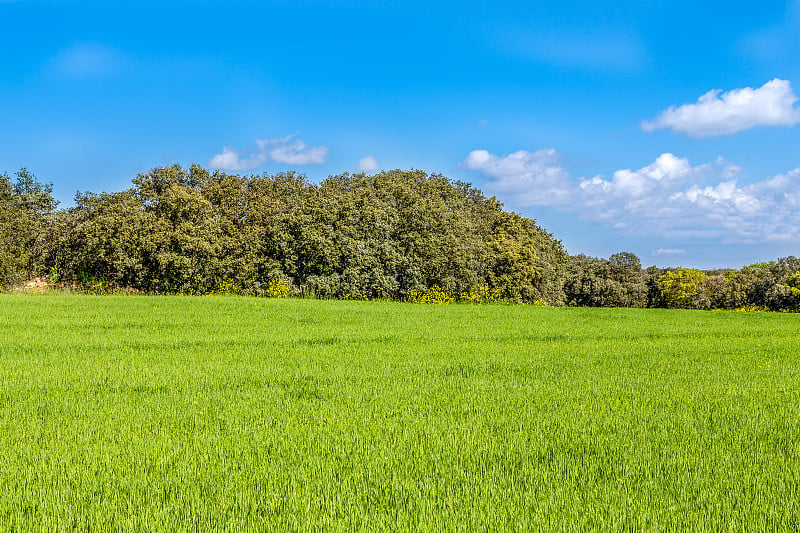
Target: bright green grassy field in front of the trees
[{"x": 174, "y": 413}]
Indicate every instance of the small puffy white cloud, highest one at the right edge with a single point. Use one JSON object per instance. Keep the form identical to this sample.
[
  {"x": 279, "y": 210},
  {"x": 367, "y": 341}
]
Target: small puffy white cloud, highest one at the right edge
[{"x": 722, "y": 113}]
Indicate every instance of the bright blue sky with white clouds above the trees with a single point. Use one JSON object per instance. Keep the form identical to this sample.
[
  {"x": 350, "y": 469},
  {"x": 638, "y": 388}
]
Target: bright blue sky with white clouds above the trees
[{"x": 670, "y": 129}]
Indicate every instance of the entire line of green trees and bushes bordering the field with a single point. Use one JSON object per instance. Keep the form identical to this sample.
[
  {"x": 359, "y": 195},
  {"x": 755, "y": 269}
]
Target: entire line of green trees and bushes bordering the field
[{"x": 393, "y": 235}]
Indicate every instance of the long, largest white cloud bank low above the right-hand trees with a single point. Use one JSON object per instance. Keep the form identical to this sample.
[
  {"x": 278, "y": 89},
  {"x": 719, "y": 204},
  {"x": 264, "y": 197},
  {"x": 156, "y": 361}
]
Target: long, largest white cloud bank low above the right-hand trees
[{"x": 668, "y": 197}]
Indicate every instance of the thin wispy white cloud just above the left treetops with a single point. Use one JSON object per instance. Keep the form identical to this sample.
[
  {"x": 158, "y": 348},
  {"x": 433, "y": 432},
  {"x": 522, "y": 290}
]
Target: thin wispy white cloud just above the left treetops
[{"x": 286, "y": 150}]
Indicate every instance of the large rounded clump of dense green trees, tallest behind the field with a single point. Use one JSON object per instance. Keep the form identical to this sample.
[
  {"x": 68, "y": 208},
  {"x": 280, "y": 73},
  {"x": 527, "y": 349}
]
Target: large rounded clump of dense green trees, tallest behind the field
[{"x": 351, "y": 237}]
